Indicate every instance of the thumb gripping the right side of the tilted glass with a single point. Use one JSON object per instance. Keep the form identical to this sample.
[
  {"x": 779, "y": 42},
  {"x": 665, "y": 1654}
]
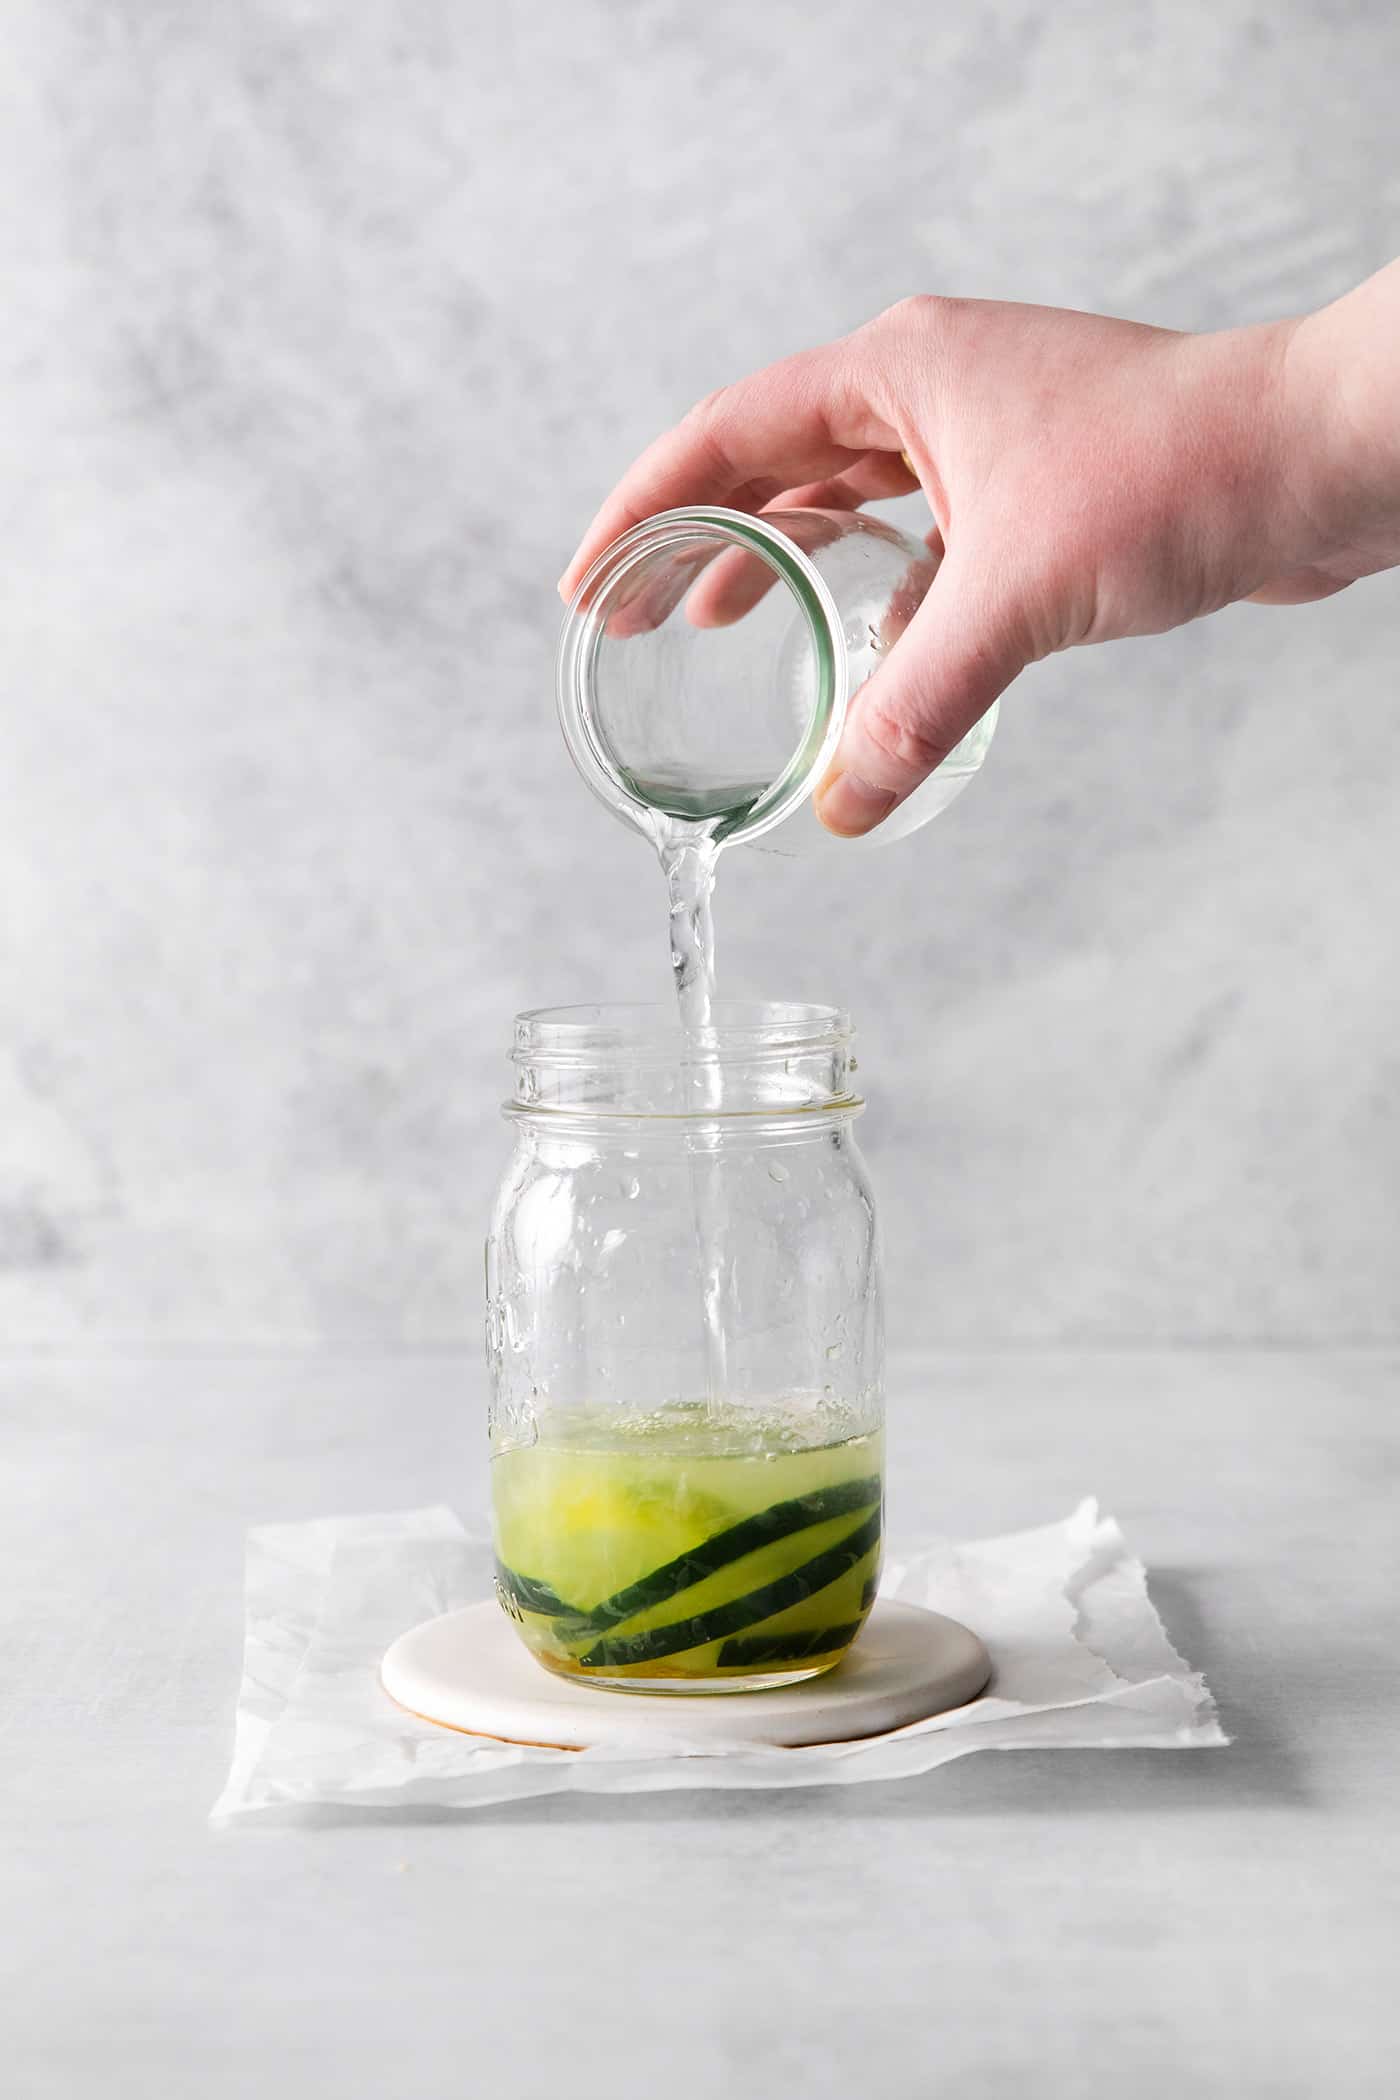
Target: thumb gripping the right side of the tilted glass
[{"x": 952, "y": 663}]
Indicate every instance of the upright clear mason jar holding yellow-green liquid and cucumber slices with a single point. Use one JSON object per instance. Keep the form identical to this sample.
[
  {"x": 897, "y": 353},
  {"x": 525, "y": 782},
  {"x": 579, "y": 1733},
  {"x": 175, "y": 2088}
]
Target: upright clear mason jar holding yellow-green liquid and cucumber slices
[{"x": 685, "y": 1347}]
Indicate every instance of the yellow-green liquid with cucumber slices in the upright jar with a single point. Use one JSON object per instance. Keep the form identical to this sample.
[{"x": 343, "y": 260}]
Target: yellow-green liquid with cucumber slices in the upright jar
[{"x": 692, "y": 1549}]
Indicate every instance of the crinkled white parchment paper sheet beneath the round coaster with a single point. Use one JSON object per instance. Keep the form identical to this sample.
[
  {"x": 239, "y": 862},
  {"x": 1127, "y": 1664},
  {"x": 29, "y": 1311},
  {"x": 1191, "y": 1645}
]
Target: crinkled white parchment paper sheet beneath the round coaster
[{"x": 1080, "y": 1658}]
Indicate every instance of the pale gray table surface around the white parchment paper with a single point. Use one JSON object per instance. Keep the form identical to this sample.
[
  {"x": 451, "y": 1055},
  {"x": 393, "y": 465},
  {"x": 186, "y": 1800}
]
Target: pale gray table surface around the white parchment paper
[{"x": 1055, "y": 1923}]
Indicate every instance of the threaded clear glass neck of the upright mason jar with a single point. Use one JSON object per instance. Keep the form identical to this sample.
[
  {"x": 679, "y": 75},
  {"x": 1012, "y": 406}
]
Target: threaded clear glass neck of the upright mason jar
[{"x": 759, "y": 1057}]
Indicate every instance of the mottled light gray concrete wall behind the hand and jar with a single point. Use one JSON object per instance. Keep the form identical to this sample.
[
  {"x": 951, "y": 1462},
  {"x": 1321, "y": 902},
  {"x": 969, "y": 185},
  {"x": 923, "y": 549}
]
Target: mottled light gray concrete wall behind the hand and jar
[{"x": 322, "y": 333}]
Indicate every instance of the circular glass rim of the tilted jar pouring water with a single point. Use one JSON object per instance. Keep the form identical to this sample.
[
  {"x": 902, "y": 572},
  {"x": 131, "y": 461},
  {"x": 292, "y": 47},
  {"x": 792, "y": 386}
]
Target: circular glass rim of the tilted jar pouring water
[{"x": 582, "y": 635}]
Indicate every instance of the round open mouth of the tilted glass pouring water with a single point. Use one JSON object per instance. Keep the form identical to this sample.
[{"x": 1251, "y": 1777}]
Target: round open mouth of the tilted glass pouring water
[{"x": 627, "y": 602}]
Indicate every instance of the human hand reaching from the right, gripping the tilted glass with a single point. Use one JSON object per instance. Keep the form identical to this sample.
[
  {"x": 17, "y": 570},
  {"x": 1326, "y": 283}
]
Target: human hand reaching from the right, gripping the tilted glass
[{"x": 1088, "y": 480}]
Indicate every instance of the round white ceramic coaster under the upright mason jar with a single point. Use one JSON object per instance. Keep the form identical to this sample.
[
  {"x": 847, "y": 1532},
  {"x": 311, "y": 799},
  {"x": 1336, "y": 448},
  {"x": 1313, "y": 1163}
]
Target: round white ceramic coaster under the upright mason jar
[{"x": 471, "y": 1671}]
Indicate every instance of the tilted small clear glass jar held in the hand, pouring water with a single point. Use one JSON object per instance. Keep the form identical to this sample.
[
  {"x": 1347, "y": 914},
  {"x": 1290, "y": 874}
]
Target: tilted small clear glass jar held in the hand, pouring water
[{"x": 708, "y": 660}]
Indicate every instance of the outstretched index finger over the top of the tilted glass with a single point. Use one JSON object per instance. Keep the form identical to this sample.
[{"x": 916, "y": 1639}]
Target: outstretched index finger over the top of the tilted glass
[{"x": 797, "y": 423}]
